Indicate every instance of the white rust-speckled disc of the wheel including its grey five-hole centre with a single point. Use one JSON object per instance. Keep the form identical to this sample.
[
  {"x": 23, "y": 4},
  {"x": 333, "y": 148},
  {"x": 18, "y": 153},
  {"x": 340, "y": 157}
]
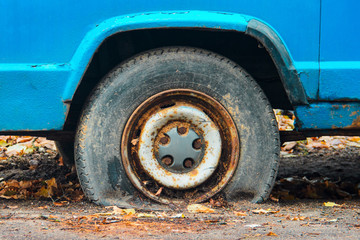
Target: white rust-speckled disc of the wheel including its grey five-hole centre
[{"x": 172, "y": 153}]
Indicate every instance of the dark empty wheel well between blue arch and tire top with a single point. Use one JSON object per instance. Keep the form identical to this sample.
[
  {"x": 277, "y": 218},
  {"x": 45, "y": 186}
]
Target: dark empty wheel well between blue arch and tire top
[{"x": 241, "y": 48}]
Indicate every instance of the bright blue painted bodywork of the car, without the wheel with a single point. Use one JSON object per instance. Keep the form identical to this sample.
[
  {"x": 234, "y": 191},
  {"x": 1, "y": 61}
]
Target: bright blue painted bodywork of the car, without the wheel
[{"x": 47, "y": 46}]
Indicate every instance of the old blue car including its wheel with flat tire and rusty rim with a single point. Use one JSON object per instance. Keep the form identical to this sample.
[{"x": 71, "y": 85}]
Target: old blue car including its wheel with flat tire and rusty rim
[{"x": 172, "y": 101}]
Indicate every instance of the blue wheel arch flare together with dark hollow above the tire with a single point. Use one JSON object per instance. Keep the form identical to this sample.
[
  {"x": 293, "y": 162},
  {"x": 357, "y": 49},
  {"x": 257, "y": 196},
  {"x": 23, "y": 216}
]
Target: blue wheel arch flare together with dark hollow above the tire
[{"x": 124, "y": 28}]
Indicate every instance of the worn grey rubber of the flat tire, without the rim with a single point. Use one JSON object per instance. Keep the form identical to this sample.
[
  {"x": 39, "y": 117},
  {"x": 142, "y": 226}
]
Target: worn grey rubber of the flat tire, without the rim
[{"x": 124, "y": 89}]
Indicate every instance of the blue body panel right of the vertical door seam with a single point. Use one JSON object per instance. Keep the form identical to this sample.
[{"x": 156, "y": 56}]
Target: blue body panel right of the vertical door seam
[{"x": 340, "y": 51}]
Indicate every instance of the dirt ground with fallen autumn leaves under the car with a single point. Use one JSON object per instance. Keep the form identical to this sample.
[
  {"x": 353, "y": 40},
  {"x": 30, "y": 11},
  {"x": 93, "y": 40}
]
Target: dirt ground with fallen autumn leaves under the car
[{"x": 307, "y": 180}]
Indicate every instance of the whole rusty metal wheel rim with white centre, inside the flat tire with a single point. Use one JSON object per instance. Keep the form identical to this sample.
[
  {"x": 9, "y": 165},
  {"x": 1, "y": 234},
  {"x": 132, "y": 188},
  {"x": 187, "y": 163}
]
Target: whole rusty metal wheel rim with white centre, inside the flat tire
[{"x": 174, "y": 104}]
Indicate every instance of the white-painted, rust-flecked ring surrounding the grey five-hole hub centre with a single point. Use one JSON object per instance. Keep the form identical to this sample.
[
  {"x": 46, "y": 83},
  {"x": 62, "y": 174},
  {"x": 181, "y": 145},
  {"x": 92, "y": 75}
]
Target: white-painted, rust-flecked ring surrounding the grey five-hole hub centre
[{"x": 211, "y": 148}]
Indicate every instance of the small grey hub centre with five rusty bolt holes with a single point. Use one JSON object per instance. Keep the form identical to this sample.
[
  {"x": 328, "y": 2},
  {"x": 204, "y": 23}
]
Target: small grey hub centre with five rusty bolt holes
[{"x": 180, "y": 150}]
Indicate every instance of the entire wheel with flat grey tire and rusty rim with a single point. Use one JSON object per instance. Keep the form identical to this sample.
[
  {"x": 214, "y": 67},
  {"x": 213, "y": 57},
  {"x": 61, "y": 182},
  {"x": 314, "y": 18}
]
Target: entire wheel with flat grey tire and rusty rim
[{"x": 176, "y": 125}]
